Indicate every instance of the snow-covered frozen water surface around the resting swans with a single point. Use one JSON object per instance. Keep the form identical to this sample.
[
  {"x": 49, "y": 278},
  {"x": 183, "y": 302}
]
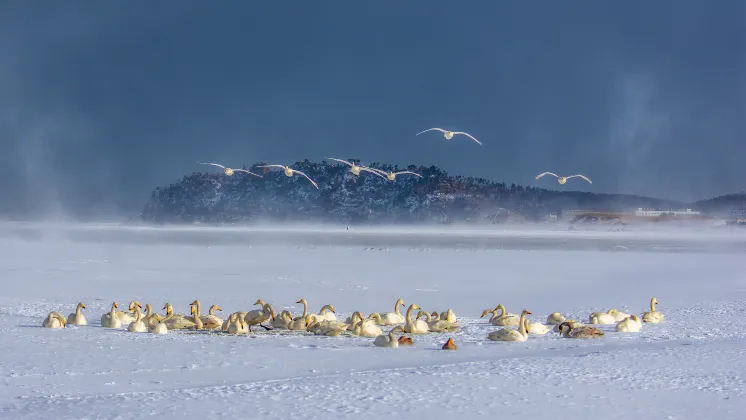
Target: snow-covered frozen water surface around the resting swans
[{"x": 691, "y": 366}]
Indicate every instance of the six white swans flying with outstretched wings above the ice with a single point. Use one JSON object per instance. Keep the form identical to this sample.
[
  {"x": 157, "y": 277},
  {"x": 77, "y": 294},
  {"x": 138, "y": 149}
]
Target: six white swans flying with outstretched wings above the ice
[{"x": 390, "y": 175}]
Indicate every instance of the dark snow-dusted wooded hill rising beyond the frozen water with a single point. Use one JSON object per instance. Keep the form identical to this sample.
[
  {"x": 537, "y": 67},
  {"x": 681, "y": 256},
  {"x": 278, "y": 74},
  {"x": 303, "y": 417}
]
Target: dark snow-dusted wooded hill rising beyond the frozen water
[{"x": 343, "y": 197}]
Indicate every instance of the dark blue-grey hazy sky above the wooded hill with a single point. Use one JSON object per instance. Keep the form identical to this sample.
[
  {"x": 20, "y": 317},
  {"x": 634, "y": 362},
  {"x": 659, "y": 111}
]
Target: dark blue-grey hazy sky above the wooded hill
[{"x": 100, "y": 102}]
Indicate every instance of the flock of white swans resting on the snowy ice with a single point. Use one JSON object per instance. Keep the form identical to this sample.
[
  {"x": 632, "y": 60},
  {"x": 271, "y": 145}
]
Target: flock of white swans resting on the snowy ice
[{"x": 325, "y": 322}]
